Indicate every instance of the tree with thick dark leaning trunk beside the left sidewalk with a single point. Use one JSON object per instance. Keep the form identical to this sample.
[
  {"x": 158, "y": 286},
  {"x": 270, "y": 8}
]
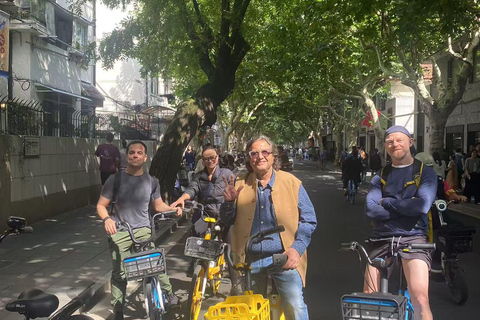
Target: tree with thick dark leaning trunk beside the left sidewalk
[{"x": 185, "y": 40}]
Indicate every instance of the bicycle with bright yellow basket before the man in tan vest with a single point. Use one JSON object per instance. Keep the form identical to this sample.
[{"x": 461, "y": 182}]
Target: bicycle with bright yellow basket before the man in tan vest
[{"x": 249, "y": 305}]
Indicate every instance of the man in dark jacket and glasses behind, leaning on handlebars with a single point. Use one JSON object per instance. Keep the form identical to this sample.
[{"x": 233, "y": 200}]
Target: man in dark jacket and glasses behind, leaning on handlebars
[{"x": 207, "y": 186}]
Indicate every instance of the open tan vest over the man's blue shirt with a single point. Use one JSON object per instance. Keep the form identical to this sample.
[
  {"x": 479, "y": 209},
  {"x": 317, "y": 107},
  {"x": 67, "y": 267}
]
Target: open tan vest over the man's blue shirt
[{"x": 285, "y": 201}]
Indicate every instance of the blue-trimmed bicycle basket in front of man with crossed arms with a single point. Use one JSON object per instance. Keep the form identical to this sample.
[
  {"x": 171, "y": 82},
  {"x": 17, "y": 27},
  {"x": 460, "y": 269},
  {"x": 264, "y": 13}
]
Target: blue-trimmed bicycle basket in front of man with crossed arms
[{"x": 374, "y": 306}]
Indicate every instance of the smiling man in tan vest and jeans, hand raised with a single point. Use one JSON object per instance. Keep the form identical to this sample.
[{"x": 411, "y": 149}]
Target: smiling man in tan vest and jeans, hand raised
[{"x": 262, "y": 199}]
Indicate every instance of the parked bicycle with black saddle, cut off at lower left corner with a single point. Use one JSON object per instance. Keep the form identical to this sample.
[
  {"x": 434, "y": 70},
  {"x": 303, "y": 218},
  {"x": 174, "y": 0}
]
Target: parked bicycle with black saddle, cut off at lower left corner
[{"x": 35, "y": 303}]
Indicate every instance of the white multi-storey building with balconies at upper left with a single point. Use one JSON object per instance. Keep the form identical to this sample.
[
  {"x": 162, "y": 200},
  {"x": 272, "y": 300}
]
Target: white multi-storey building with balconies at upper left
[{"x": 51, "y": 64}]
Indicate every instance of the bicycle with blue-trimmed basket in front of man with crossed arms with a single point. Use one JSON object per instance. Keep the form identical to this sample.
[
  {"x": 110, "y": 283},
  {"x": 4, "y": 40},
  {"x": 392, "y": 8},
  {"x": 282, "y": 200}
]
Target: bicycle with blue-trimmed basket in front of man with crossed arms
[{"x": 381, "y": 305}]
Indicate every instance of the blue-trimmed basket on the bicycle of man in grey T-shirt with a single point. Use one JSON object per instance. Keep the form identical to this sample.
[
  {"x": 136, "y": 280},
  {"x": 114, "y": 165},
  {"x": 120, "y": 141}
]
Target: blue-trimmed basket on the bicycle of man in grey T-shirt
[{"x": 144, "y": 264}]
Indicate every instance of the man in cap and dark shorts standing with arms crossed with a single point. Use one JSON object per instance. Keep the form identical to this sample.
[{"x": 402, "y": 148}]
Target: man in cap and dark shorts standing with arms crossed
[{"x": 401, "y": 211}]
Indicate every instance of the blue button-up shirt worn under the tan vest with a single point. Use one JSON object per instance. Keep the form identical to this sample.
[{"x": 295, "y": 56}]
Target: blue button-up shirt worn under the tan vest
[{"x": 265, "y": 218}]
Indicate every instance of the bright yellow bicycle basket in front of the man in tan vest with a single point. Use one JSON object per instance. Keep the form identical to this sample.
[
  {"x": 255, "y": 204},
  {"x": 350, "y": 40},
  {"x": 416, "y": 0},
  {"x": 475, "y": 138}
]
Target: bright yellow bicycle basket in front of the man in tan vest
[{"x": 246, "y": 307}]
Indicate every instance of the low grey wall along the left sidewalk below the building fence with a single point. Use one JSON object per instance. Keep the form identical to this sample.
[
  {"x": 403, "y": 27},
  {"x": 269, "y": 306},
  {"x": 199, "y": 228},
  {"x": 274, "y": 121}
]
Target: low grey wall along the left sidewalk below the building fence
[{"x": 64, "y": 164}]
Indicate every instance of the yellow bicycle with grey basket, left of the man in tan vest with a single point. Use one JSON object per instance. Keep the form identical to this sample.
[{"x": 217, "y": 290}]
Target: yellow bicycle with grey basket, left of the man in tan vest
[{"x": 210, "y": 262}]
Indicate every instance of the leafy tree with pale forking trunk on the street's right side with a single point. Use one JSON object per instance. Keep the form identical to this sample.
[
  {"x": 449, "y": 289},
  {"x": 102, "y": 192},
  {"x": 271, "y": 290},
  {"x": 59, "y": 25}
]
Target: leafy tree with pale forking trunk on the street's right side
[{"x": 406, "y": 34}]
